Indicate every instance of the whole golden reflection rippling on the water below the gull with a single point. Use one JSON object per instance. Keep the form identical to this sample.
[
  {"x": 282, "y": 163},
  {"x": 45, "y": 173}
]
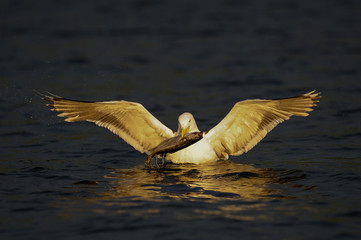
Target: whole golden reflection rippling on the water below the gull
[{"x": 187, "y": 191}]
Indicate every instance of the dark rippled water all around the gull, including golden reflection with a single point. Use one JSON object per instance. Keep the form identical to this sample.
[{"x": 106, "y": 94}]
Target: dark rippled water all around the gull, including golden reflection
[{"x": 78, "y": 181}]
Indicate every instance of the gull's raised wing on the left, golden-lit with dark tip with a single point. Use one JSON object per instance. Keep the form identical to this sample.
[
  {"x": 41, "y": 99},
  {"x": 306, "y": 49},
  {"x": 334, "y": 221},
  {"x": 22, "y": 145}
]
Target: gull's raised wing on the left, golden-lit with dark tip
[{"x": 129, "y": 120}]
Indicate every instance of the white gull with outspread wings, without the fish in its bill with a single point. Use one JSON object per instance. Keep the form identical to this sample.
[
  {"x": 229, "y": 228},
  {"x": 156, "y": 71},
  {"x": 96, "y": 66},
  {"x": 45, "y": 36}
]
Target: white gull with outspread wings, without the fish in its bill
[{"x": 247, "y": 123}]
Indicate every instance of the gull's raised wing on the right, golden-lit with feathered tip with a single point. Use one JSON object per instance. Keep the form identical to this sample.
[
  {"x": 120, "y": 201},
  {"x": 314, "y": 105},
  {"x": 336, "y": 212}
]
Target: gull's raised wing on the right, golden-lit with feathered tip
[{"x": 249, "y": 121}]
